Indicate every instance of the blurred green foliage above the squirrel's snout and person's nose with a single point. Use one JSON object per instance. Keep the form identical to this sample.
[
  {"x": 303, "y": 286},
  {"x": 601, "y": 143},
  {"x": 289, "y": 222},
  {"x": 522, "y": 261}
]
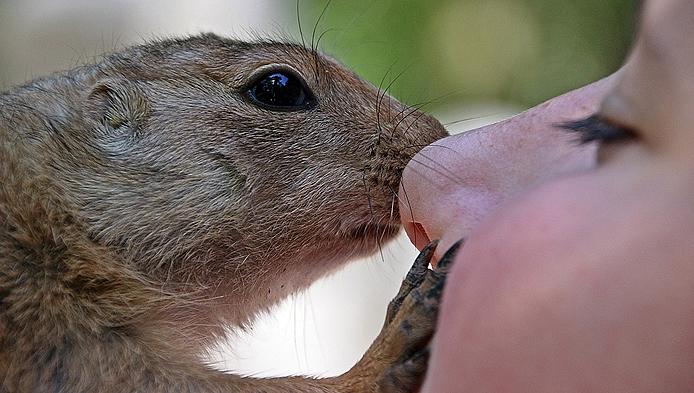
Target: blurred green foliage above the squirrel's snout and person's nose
[{"x": 518, "y": 51}]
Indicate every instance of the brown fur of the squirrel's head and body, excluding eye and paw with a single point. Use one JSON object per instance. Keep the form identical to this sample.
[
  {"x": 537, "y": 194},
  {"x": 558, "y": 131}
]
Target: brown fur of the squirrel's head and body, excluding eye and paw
[{"x": 145, "y": 205}]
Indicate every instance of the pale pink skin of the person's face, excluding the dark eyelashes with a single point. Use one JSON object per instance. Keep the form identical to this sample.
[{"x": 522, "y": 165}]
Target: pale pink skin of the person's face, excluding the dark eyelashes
[{"x": 578, "y": 271}]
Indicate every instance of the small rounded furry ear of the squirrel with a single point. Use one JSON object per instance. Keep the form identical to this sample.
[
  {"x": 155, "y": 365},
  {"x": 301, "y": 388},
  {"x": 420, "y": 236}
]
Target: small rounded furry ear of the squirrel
[{"x": 117, "y": 104}]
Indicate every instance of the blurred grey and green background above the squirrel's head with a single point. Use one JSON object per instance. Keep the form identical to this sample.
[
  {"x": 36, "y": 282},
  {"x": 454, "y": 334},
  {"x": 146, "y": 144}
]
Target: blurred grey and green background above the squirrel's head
[{"x": 518, "y": 52}]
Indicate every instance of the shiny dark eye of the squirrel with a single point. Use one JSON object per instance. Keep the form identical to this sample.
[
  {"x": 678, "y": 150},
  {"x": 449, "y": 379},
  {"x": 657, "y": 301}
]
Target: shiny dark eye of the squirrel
[{"x": 281, "y": 91}]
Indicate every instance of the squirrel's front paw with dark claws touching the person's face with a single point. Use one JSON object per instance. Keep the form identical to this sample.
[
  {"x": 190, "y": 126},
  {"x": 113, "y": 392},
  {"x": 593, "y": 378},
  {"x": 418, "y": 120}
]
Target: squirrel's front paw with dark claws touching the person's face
[{"x": 397, "y": 359}]
